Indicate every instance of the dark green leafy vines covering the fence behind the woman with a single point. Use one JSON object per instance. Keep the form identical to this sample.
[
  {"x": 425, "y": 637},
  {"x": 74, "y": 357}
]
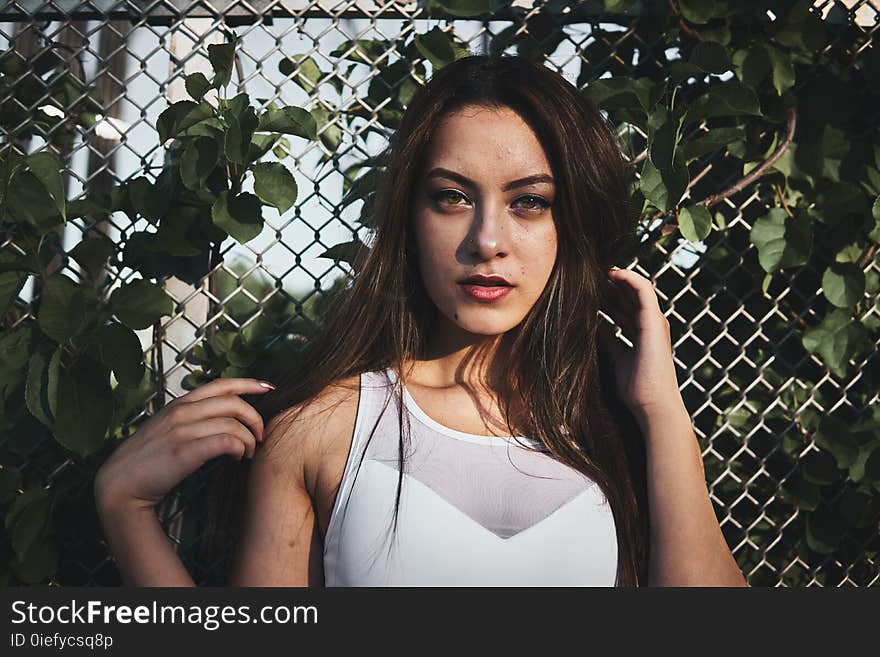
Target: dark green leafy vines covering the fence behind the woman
[{"x": 753, "y": 127}]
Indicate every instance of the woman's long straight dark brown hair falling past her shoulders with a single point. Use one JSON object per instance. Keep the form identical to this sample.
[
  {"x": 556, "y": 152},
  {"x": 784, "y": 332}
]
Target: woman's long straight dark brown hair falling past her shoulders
[{"x": 554, "y": 368}]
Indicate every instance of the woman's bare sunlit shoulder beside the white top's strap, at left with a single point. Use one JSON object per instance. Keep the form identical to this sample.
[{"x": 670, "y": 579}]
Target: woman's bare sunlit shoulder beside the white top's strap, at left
[{"x": 308, "y": 433}]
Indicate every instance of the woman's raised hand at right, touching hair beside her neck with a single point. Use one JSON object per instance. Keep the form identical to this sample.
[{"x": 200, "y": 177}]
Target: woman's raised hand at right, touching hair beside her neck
[{"x": 645, "y": 374}]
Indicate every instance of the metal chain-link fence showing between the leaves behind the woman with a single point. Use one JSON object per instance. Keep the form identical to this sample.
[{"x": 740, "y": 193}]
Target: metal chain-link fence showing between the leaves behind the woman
[{"x": 136, "y": 55}]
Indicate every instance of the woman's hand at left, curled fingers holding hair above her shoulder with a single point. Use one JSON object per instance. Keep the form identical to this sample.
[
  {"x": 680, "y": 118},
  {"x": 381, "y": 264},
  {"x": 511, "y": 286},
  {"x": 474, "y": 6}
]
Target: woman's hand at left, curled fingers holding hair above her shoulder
[{"x": 205, "y": 423}]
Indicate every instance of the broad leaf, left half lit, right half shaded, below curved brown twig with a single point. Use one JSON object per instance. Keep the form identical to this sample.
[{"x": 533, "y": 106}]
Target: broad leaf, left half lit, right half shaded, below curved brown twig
[{"x": 782, "y": 241}]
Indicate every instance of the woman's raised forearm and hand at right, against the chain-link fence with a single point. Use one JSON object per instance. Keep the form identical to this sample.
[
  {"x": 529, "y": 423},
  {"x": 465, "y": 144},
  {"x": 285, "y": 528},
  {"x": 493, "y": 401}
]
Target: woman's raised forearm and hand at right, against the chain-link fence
[{"x": 687, "y": 547}]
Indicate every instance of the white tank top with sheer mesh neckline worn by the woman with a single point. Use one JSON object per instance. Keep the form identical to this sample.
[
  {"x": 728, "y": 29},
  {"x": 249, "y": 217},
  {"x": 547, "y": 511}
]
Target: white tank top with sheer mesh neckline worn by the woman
[{"x": 474, "y": 510}]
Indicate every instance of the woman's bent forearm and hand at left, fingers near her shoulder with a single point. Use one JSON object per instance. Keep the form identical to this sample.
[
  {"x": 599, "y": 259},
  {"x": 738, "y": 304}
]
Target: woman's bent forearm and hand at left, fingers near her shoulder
[{"x": 205, "y": 423}]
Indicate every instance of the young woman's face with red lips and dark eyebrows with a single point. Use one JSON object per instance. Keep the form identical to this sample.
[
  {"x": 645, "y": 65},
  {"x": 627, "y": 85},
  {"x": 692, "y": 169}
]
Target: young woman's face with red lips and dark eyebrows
[{"x": 483, "y": 206}]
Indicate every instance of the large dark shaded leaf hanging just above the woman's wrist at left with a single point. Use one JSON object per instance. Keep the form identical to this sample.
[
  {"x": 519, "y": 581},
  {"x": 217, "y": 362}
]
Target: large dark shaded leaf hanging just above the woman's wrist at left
[{"x": 85, "y": 406}]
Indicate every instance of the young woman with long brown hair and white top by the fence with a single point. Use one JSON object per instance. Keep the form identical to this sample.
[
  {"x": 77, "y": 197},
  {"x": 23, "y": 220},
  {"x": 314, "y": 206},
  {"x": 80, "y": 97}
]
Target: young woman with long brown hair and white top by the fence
[{"x": 537, "y": 448}]
